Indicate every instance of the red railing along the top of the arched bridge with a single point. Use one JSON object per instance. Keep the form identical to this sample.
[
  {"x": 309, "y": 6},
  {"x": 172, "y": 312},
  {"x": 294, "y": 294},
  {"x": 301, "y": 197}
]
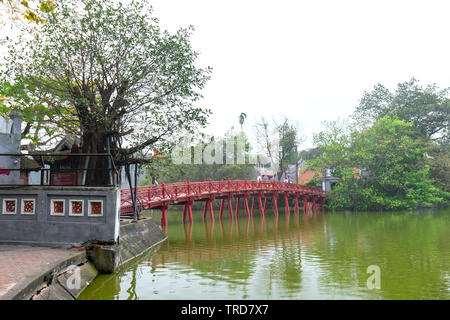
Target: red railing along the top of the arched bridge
[{"x": 173, "y": 191}]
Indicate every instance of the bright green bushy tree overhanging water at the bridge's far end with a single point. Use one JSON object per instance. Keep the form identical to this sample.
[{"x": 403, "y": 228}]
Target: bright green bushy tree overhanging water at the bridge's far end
[{"x": 393, "y": 162}]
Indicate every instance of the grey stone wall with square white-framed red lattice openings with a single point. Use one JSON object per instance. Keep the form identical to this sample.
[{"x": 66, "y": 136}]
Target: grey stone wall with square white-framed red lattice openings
[{"x": 45, "y": 227}]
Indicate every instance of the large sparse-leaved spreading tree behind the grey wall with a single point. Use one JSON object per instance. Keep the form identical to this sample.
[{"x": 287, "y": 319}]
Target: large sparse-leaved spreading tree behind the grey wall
[{"x": 105, "y": 71}]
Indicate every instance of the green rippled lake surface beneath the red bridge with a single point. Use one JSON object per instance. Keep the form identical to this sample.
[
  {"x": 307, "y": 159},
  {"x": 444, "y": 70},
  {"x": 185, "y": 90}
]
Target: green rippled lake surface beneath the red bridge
[{"x": 315, "y": 256}]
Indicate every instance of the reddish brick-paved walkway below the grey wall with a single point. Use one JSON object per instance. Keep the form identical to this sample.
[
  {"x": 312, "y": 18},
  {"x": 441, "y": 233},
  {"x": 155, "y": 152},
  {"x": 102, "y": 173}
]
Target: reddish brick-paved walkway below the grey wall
[{"x": 20, "y": 265}]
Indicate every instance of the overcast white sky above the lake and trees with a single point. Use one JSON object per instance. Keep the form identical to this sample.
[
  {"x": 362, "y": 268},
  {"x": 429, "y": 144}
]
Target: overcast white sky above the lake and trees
[{"x": 309, "y": 60}]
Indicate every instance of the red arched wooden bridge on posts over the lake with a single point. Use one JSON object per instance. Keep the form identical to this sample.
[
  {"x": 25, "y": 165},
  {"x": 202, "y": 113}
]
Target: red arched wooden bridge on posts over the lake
[{"x": 164, "y": 195}]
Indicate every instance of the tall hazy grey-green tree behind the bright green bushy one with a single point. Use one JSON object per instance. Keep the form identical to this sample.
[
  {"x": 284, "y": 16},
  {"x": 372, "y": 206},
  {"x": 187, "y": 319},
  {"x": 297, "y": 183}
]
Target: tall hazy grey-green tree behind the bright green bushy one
[{"x": 427, "y": 107}]
